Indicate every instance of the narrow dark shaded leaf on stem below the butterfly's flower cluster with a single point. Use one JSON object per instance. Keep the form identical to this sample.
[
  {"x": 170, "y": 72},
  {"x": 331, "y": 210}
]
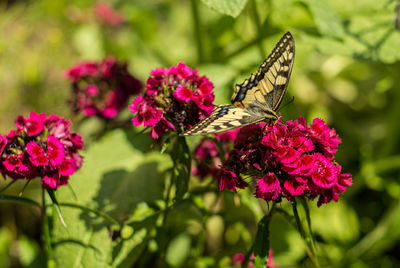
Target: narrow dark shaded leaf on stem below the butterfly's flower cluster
[{"x": 261, "y": 243}]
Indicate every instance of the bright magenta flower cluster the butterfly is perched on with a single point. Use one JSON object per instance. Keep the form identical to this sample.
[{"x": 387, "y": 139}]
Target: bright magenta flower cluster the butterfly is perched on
[{"x": 288, "y": 160}]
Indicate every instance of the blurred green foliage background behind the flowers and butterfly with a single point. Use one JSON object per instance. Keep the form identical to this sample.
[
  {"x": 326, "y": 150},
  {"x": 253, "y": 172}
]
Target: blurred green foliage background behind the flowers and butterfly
[{"x": 346, "y": 71}]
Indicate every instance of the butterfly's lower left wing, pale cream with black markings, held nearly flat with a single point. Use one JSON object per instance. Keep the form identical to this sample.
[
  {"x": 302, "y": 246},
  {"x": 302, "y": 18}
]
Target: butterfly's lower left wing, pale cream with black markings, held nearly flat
[{"x": 223, "y": 118}]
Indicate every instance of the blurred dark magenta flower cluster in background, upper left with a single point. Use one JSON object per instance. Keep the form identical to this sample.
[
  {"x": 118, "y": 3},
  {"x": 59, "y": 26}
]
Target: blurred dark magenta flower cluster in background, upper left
[{"x": 101, "y": 89}]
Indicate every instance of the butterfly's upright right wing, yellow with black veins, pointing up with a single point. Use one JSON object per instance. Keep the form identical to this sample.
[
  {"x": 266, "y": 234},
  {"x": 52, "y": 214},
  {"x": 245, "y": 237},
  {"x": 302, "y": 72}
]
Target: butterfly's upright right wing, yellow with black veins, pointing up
[{"x": 268, "y": 85}]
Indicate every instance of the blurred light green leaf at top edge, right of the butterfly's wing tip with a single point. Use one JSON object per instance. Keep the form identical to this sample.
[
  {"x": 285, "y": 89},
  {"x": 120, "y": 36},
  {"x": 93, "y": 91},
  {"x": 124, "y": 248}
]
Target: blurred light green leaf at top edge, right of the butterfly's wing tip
[{"x": 327, "y": 20}]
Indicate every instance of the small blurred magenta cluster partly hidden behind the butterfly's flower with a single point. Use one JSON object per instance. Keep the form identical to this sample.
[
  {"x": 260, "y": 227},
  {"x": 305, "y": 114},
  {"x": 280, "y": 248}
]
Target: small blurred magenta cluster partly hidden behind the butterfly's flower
[{"x": 207, "y": 155}]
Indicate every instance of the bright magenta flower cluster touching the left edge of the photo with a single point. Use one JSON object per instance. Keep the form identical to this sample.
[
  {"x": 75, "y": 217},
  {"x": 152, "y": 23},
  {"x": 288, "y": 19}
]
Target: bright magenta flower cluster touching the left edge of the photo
[{"x": 41, "y": 146}]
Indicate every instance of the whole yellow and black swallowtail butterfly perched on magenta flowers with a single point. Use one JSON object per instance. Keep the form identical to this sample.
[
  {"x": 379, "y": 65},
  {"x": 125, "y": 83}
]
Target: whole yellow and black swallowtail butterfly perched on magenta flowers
[{"x": 257, "y": 98}]
